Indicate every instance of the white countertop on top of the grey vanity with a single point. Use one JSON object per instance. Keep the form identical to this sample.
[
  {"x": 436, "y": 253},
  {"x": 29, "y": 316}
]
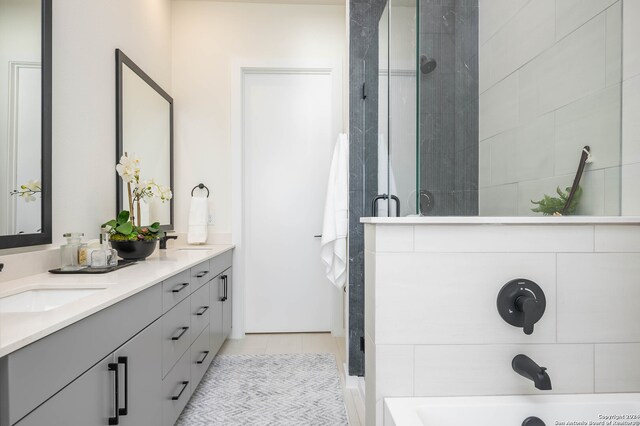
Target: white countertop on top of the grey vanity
[{"x": 20, "y": 329}]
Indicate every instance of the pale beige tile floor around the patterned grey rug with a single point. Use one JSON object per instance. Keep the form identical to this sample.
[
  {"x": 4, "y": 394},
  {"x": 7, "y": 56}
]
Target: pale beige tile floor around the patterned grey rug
[{"x": 302, "y": 343}]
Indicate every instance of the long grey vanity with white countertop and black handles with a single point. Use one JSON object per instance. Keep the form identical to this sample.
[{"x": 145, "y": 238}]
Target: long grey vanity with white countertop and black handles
[{"x": 130, "y": 352}]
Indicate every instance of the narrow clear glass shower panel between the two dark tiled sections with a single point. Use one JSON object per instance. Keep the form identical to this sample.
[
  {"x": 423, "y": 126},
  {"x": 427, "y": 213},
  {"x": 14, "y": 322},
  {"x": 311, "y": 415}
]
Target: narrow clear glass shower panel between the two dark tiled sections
[{"x": 400, "y": 75}]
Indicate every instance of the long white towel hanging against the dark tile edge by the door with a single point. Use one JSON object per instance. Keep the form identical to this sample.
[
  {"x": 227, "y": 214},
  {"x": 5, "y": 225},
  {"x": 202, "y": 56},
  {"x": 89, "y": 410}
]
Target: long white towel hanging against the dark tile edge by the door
[{"x": 336, "y": 215}]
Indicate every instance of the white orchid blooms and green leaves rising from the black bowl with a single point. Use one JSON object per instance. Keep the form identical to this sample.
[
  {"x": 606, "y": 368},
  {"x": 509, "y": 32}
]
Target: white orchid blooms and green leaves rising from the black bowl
[{"x": 127, "y": 225}]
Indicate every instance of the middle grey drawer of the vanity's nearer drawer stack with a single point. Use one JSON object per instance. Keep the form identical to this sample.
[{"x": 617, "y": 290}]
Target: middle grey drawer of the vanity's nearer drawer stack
[{"x": 176, "y": 334}]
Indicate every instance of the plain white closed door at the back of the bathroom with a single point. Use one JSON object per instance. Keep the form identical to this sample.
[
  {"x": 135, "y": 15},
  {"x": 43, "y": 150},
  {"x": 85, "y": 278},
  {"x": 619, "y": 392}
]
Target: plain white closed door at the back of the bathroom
[{"x": 289, "y": 132}]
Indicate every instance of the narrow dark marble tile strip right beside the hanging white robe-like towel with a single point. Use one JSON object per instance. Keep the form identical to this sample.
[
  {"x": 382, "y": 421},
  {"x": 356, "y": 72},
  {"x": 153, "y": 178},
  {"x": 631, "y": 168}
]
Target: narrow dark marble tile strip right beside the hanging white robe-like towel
[{"x": 363, "y": 156}]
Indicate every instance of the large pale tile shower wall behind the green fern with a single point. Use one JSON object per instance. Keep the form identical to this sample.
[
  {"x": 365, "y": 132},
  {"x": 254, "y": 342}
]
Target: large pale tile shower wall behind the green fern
[{"x": 550, "y": 75}]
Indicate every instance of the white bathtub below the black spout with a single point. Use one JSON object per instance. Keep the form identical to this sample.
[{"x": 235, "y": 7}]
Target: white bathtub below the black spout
[{"x": 554, "y": 410}]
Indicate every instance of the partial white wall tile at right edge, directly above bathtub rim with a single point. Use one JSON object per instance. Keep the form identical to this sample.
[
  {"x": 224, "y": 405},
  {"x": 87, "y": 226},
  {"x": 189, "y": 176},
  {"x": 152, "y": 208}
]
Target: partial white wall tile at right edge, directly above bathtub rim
[{"x": 617, "y": 367}]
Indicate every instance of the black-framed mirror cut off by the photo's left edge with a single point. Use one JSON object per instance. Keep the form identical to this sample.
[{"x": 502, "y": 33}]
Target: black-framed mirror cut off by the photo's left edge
[{"x": 25, "y": 123}]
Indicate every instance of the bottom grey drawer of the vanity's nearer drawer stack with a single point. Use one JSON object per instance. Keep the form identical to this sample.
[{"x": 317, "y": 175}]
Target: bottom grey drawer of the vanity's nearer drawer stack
[{"x": 176, "y": 389}]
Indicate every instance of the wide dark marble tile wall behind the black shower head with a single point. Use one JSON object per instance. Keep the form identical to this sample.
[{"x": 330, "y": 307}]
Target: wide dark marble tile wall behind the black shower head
[{"x": 449, "y": 106}]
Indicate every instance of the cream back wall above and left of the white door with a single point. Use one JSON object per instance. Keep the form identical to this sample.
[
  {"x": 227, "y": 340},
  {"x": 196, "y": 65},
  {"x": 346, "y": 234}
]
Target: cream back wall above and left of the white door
[{"x": 209, "y": 40}]
